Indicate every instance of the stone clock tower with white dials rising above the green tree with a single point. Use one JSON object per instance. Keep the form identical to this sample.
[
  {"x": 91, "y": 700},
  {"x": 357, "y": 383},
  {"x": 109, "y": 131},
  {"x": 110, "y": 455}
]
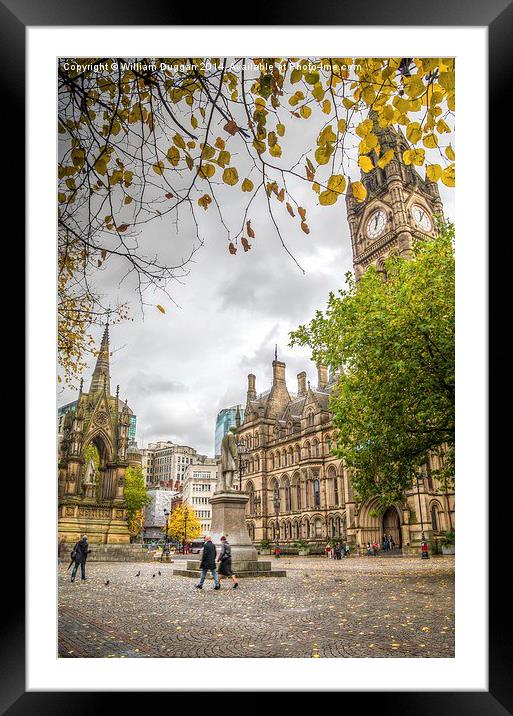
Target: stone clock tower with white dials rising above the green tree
[{"x": 400, "y": 207}]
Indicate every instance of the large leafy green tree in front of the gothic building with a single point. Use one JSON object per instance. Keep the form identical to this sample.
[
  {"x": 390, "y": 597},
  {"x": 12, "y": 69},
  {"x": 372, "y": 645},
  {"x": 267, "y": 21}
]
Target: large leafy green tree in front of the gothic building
[{"x": 393, "y": 342}]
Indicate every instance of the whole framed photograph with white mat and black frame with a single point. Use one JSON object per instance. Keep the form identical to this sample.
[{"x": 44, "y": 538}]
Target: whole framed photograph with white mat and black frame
[{"x": 270, "y": 290}]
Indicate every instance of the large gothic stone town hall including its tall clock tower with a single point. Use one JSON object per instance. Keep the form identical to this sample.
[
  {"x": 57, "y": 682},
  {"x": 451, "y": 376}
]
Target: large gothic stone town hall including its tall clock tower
[{"x": 297, "y": 488}]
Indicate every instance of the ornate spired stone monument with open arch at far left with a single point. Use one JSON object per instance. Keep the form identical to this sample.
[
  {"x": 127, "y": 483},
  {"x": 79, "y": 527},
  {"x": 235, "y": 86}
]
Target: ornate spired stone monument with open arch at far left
[{"x": 92, "y": 502}]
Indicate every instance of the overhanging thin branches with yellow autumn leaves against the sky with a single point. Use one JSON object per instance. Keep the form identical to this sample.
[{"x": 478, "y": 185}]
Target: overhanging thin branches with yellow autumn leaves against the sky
[{"x": 165, "y": 138}]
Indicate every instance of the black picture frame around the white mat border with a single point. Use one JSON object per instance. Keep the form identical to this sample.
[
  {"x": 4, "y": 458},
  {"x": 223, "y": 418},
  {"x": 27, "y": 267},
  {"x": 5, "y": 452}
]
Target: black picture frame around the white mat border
[{"x": 497, "y": 16}]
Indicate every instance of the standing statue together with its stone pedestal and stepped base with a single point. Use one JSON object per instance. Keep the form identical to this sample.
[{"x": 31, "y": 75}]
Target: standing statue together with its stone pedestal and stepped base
[{"x": 228, "y": 508}]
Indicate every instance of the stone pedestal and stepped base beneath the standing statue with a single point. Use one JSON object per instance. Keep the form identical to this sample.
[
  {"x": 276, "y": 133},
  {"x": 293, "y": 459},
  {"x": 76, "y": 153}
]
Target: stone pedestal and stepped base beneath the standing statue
[{"x": 228, "y": 519}]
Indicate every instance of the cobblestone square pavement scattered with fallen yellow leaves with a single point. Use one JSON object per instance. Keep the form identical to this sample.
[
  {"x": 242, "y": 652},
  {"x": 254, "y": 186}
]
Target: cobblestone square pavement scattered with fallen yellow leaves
[{"x": 355, "y": 607}]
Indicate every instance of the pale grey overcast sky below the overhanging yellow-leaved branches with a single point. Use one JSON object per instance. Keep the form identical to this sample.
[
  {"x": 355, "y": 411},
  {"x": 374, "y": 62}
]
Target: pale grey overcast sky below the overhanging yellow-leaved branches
[{"x": 179, "y": 369}]
